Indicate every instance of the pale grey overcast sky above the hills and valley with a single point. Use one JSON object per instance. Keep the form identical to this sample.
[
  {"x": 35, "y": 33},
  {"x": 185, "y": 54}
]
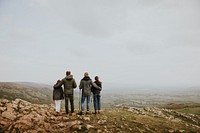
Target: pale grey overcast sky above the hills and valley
[{"x": 136, "y": 42}]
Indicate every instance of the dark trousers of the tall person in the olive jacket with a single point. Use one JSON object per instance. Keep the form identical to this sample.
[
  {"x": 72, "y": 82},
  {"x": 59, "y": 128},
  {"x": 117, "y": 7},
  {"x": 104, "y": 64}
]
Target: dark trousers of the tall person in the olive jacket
[{"x": 69, "y": 97}]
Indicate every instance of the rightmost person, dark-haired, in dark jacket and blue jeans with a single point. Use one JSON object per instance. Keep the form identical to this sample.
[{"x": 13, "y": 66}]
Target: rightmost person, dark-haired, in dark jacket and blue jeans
[{"x": 96, "y": 95}]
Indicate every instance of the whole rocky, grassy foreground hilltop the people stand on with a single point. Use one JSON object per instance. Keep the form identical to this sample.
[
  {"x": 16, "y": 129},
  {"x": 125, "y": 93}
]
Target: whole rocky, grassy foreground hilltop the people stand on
[{"x": 22, "y": 116}]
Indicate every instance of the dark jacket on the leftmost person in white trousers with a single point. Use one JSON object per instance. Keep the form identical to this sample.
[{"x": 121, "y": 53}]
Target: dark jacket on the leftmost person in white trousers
[{"x": 57, "y": 92}]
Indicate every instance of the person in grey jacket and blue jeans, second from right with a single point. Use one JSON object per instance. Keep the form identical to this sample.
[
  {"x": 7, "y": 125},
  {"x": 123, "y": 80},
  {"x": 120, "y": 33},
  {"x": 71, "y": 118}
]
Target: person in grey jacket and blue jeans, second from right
[{"x": 86, "y": 84}]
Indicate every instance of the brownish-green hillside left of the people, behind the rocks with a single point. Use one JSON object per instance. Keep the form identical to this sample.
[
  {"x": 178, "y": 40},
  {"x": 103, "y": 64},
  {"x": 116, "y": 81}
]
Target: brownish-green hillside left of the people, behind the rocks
[{"x": 31, "y": 92}]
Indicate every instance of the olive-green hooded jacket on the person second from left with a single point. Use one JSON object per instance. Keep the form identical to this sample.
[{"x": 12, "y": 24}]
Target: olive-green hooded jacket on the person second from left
[{"x": 69, "y": 84}]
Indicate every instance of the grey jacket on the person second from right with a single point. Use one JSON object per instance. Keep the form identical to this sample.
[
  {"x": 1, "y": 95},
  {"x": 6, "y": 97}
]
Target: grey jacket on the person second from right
[{"x": 86, "y": 84}]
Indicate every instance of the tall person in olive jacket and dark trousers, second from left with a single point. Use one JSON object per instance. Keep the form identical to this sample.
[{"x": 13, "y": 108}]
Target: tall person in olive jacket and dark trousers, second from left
[{"x": 69, "y": 86}]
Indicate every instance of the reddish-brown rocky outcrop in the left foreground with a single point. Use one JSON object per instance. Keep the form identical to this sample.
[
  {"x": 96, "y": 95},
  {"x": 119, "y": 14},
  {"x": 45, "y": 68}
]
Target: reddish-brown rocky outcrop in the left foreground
[{"x": 22, "y": 116}]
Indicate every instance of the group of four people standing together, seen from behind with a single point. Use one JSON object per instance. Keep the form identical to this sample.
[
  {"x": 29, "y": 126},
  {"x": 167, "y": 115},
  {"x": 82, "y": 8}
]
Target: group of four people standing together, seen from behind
[{"x": 86, "y": 85}]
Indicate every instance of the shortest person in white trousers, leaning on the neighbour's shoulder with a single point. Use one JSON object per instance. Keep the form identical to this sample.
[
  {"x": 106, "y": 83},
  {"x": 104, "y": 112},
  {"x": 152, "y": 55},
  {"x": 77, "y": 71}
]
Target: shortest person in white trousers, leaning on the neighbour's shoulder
[{"x": 57, "y": 95}]
